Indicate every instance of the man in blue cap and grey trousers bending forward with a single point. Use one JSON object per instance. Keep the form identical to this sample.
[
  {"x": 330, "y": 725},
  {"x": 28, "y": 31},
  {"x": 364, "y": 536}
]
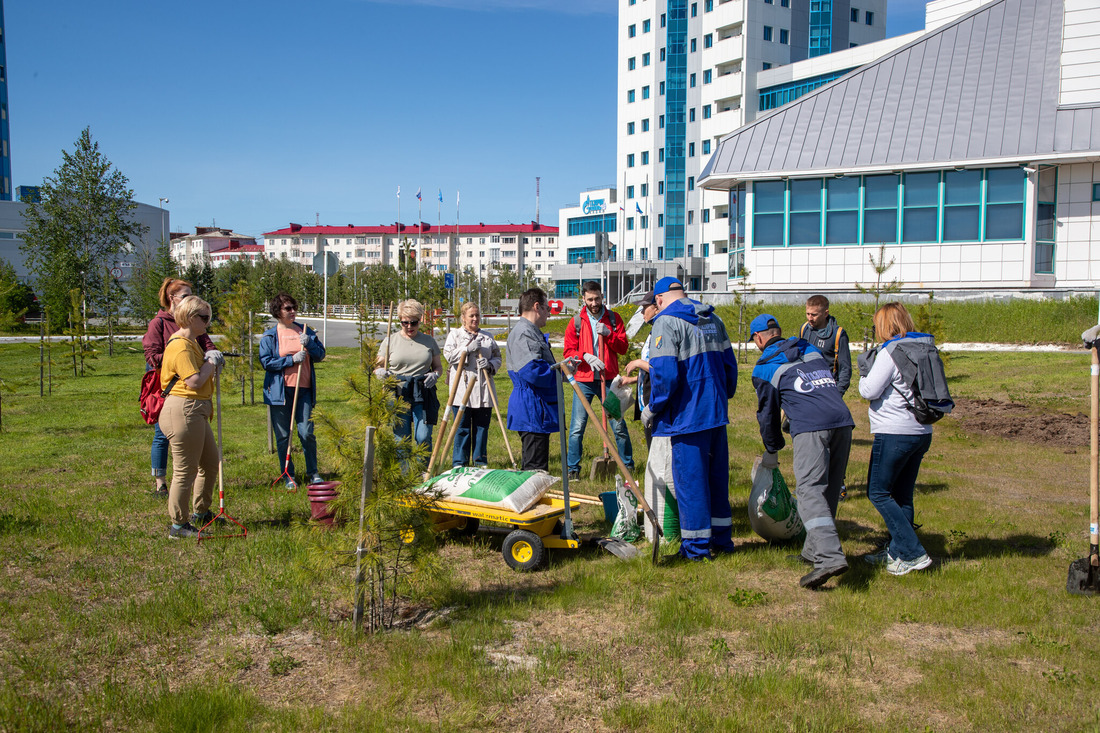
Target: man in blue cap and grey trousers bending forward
[{"x": 794, "y": 377}]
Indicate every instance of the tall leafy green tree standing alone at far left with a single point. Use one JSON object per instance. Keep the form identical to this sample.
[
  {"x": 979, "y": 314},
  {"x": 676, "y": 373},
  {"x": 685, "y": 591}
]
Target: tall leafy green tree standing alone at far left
[{"x": 82, "y": 222}]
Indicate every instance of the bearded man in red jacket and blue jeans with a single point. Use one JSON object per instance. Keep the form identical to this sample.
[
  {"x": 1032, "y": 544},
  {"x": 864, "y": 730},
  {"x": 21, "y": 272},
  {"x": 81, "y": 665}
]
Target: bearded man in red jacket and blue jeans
[{"x": 597, "y": 337}]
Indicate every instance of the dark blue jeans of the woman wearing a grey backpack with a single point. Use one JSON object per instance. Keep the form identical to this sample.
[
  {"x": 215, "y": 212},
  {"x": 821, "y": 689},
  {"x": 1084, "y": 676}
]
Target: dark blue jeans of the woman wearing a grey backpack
[{"x": 896, "y": 461}]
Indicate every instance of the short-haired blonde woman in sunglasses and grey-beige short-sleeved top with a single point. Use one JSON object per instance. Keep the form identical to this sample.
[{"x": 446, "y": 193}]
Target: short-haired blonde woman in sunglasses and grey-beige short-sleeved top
[{"x": 414, "y": 359}]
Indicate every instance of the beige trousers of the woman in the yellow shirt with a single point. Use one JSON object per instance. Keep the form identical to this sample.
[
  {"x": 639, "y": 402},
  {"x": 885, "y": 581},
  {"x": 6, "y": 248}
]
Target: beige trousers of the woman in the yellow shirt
[{"x": 186, "y": 424}]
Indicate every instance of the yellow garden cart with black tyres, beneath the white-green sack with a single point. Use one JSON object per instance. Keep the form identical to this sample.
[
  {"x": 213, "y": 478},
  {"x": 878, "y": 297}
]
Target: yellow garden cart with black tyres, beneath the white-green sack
[{"x": 533, "y": 533}]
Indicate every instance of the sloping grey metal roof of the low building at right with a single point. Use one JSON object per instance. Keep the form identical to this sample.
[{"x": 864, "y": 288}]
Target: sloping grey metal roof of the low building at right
[{"x": 983, "y": 89}]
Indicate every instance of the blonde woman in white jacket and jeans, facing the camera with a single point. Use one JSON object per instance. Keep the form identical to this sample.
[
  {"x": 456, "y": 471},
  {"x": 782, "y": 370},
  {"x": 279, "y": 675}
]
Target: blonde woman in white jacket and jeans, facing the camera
[{"x": 483, "y": 360}]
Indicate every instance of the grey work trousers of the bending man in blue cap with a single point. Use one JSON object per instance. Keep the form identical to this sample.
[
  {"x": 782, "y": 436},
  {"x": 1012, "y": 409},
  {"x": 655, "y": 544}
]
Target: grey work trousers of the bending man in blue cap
[{"x": 821, "y": 461}]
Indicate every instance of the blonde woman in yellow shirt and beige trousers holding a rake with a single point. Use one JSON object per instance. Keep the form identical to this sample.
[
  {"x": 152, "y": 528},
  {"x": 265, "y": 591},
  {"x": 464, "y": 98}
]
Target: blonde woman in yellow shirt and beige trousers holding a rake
[{"x": 185, "y": 419}]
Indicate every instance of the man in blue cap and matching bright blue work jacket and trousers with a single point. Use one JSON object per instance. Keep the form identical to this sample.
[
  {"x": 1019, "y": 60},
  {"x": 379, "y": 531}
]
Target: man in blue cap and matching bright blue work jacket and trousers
[{"x": 694, "y": 375}]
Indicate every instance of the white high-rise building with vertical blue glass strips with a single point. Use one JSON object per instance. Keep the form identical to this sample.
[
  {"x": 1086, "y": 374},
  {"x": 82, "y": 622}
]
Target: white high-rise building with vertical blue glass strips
[{"x": 687, "y": 76}]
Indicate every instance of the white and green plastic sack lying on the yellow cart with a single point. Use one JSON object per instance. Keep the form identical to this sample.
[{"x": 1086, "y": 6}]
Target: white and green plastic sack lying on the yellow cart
[{"x": 515, "y": 491}]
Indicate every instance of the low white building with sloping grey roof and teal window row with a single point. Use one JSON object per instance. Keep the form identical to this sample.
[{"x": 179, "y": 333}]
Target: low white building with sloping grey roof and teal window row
[{"x": 972, "y": 155}]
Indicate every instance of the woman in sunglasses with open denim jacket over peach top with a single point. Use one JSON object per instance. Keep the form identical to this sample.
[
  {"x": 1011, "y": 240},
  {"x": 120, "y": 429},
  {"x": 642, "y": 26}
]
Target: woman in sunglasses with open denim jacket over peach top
[{"x": 289, "y": 352}]
